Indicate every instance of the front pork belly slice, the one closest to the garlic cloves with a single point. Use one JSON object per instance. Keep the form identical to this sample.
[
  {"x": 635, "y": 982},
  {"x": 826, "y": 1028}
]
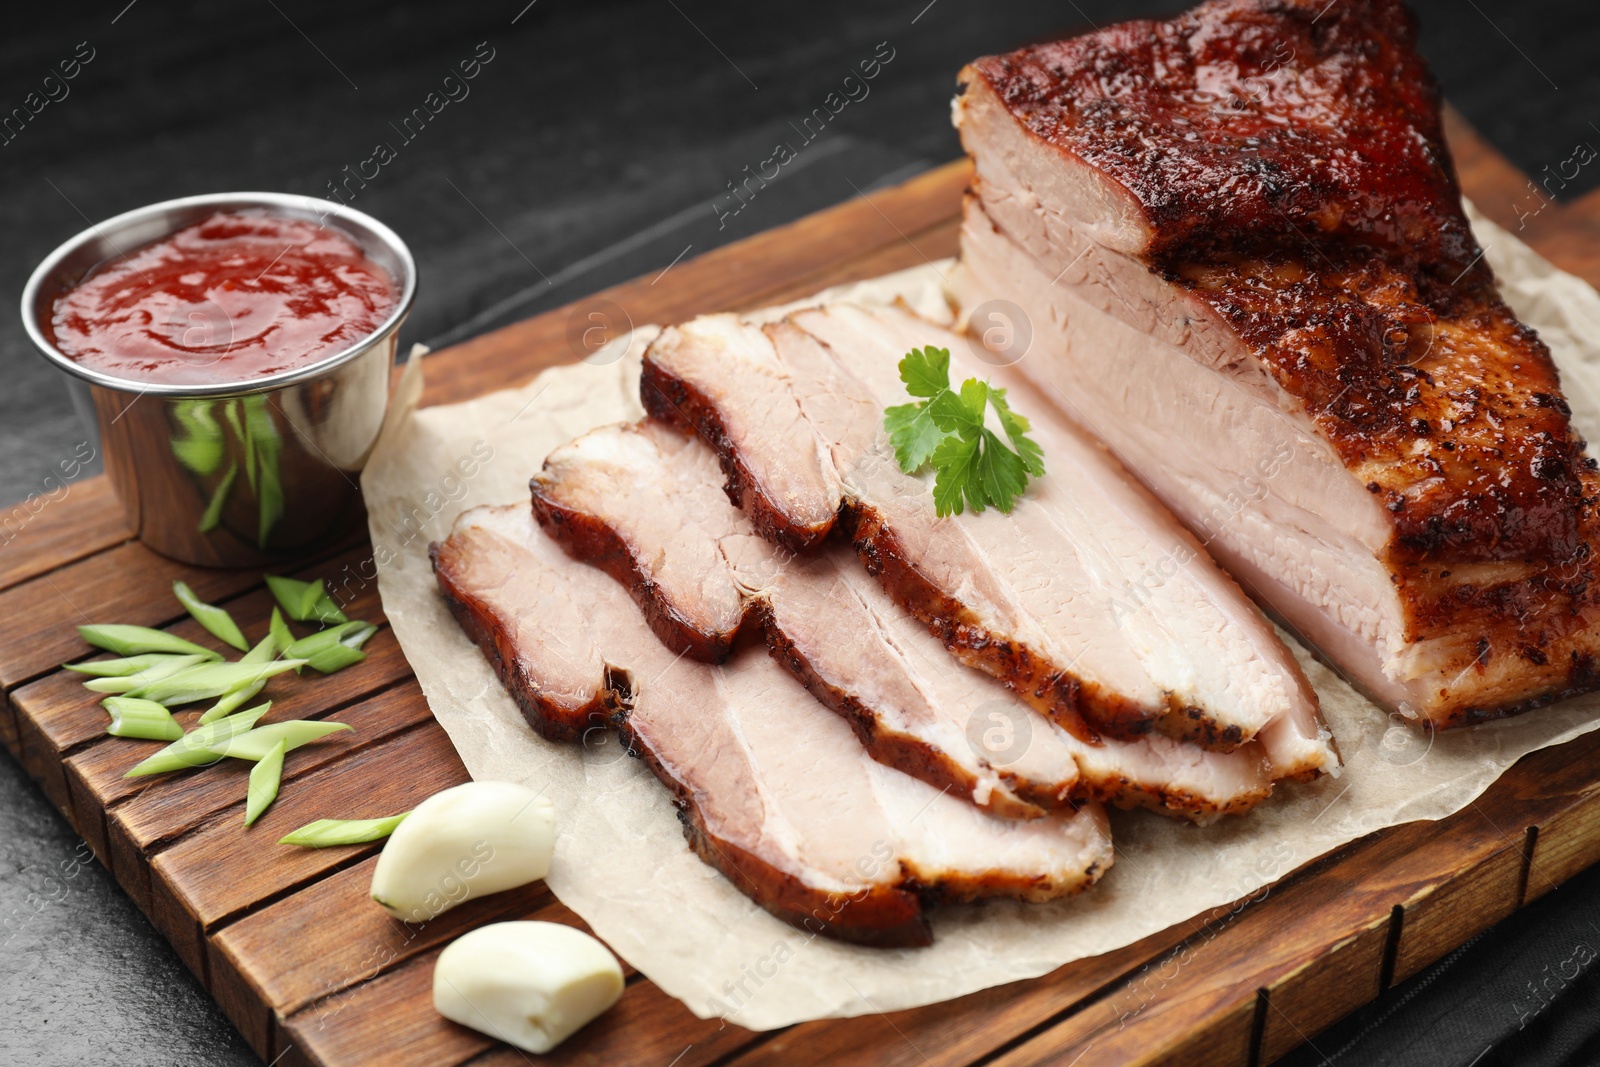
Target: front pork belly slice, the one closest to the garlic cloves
[{"x": 772, "y": 789}]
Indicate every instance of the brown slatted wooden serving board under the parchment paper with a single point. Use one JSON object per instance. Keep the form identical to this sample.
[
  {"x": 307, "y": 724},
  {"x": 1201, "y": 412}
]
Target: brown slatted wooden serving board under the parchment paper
[{"x": 313, "y": 973}]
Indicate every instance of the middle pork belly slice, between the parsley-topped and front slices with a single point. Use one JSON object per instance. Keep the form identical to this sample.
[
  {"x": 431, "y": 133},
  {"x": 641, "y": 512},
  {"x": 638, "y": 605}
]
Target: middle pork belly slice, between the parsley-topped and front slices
[{"x": 610, "y": 497}]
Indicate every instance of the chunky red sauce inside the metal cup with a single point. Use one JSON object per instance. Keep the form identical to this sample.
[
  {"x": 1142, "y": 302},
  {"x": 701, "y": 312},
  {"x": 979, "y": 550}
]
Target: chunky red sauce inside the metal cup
[{"x": 228, "y": 300}]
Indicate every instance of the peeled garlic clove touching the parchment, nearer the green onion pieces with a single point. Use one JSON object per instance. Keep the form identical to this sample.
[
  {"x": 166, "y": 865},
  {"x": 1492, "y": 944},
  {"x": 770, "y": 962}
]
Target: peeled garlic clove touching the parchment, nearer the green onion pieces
[{"x": 462, "y": 844}]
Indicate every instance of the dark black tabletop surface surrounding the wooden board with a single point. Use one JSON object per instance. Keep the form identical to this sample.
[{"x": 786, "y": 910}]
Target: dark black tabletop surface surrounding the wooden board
[{"x": 591, "y": 150}]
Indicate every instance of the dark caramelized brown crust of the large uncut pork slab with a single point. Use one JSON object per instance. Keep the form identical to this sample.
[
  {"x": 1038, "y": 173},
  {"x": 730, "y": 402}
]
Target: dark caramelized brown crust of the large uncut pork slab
[{"x": 1289, "y": 161}]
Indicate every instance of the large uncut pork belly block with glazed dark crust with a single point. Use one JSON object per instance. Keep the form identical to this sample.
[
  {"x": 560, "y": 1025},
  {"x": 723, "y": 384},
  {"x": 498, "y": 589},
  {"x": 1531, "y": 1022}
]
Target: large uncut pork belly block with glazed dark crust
[{"x": 1238, "y": 241}]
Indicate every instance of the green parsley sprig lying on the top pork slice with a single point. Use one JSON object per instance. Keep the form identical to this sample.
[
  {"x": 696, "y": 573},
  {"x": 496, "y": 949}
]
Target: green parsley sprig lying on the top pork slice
[{"x": 974, "y": 466}]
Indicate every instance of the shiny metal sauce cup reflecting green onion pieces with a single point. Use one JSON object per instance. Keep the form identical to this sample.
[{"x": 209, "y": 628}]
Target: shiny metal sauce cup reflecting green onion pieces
[{"x": 234, "y": 474}]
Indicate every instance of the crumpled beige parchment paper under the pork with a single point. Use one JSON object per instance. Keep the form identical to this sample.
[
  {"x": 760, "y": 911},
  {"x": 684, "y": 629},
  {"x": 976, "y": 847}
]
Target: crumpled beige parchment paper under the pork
[{"x": 622, "y": 861}]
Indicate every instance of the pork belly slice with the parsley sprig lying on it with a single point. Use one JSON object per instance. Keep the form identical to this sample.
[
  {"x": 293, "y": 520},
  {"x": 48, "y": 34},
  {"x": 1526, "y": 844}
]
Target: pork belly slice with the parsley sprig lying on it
[{"x": 1090, "y": 601}]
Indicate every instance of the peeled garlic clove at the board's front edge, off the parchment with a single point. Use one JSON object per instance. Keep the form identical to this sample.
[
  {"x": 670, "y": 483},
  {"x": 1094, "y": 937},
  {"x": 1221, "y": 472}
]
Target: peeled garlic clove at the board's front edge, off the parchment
[{"x": 529, "y": 985}]
